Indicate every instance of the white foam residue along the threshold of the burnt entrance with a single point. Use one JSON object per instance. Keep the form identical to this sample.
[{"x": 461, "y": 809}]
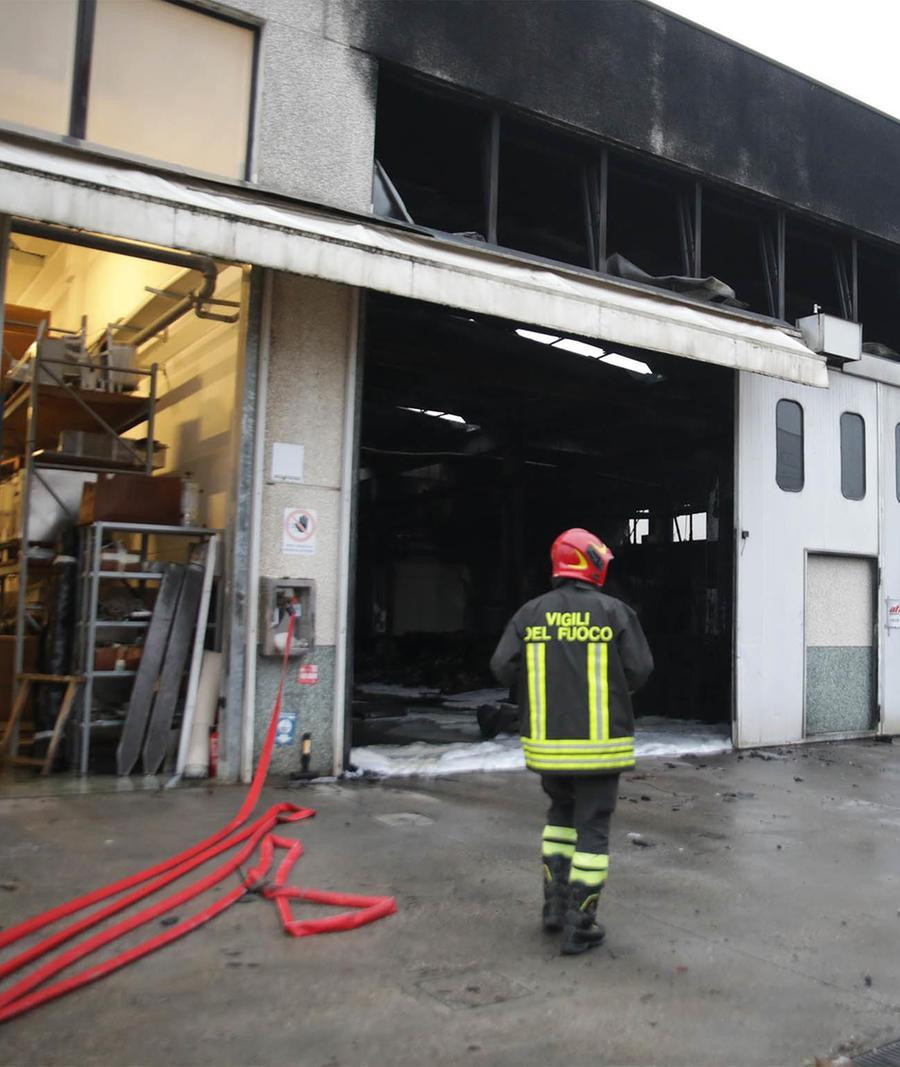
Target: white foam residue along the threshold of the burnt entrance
[{"x": 654, "y": 738}]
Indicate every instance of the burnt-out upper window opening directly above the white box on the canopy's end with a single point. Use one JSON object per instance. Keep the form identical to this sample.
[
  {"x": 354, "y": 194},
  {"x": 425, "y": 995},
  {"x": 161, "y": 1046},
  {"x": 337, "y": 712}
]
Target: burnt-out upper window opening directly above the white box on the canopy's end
[{"x": 817, "y": 273}]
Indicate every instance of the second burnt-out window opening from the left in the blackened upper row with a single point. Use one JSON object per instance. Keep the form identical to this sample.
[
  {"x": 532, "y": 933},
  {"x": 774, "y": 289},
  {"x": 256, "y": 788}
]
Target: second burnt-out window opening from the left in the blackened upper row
[{"x": 544, "y": 198}]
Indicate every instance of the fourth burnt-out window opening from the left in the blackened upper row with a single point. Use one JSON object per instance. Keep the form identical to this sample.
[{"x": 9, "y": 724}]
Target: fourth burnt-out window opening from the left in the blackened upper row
[{"x": 739, "y": 248}]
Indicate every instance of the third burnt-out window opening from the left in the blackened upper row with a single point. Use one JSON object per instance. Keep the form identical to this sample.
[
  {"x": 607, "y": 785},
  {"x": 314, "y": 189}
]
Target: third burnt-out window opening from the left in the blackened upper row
[{"x": 645, "y": 220}]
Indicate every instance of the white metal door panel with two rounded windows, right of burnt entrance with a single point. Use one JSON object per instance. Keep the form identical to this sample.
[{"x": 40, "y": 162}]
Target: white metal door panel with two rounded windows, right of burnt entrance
[{"x": 781, "y": 529}]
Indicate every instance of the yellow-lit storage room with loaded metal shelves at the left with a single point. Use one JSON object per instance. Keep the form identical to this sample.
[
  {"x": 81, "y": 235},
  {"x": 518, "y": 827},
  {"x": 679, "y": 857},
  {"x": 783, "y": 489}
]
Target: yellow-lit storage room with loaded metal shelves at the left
[{"x": 109, "y": 320}]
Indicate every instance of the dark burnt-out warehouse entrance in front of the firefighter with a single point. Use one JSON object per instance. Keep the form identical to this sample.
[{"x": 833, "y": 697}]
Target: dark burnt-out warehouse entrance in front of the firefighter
[{"x": 481, "y": 442}]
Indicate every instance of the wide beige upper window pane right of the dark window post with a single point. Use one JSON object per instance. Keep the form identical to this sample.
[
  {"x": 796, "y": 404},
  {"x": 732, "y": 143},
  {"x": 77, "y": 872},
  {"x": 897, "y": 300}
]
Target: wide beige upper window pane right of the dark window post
[{"x": 171, "y": 84}]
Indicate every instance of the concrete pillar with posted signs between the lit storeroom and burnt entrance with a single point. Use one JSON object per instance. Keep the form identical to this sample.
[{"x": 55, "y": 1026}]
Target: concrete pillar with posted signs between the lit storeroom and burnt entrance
[{"x": 313, "y": 328}]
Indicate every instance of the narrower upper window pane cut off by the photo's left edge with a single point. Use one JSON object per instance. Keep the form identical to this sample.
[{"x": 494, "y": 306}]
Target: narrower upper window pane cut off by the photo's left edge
[{"x": 37, "y": 61}]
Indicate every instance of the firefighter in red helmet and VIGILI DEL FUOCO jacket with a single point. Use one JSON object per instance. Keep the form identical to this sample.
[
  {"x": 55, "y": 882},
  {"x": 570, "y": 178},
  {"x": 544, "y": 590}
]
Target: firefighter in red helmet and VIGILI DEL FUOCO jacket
[{"x": 583, "y": 654}]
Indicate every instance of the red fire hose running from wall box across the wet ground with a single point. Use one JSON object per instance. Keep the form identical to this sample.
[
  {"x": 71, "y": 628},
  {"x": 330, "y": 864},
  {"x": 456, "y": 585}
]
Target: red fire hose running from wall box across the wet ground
[{"x": 39, "y": 986}]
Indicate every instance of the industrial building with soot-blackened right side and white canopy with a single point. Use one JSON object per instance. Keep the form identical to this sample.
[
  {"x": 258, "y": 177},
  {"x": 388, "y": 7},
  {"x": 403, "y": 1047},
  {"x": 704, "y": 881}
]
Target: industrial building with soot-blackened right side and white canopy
[{"x": 421, "y": 284}]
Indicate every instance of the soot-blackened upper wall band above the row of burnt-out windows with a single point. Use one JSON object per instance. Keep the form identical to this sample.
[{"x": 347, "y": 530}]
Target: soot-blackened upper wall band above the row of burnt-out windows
[{"x": 626, "y": 71}]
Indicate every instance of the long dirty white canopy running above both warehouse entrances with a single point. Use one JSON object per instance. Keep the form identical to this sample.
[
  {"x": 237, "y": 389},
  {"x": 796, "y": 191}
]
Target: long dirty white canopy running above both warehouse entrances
[{"x": 115, "y": 199}]
